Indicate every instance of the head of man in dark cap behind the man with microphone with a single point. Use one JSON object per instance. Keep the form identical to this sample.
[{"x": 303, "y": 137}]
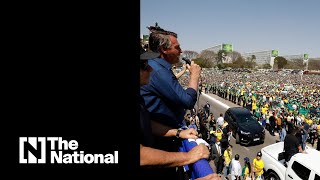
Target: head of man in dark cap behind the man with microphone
[{"x": 145, "y": 69}]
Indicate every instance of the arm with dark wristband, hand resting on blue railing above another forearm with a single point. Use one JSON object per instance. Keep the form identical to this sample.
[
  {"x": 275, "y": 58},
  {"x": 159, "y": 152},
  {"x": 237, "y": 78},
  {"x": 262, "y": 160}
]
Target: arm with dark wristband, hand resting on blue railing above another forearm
[{"x": 163, "y": 130}]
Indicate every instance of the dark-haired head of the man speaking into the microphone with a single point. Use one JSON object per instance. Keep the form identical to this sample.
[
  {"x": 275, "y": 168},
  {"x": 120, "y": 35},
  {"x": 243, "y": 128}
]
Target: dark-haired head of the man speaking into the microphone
[{"x": 167, "y": 44}]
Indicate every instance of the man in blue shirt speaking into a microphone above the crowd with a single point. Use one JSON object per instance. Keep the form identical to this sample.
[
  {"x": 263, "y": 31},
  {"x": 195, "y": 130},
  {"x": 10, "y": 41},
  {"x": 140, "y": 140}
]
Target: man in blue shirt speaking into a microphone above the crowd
[{"x": 164, "y": 97}]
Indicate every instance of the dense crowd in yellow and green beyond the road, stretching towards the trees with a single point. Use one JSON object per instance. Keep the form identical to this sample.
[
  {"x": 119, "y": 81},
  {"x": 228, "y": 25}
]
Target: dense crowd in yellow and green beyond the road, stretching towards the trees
[{"x": 280, "y": 100}]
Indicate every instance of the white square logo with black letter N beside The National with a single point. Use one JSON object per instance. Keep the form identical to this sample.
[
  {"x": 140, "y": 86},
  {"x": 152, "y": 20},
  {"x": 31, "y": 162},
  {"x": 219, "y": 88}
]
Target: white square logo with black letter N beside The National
[{"x": 32, "y": 150}]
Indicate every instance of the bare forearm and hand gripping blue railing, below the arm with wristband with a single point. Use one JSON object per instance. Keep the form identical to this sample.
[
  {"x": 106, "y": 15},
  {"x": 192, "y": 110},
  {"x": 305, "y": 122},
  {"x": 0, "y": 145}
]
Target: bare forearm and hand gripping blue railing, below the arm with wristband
[{"x": 155, "y": 157}]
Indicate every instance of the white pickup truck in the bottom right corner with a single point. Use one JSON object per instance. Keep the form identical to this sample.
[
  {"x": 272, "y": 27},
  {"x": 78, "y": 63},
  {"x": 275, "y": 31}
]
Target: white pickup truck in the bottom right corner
[{"x": 300, "y": 167}]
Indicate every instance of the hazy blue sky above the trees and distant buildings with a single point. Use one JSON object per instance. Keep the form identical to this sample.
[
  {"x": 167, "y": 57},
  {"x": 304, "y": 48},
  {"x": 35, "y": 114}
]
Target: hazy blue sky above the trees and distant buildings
[{"x": 290, "y": 26}]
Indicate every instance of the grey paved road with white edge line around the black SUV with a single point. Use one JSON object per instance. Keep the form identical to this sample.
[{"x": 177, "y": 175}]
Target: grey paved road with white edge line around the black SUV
[{"x": 219, "y": 105}]
